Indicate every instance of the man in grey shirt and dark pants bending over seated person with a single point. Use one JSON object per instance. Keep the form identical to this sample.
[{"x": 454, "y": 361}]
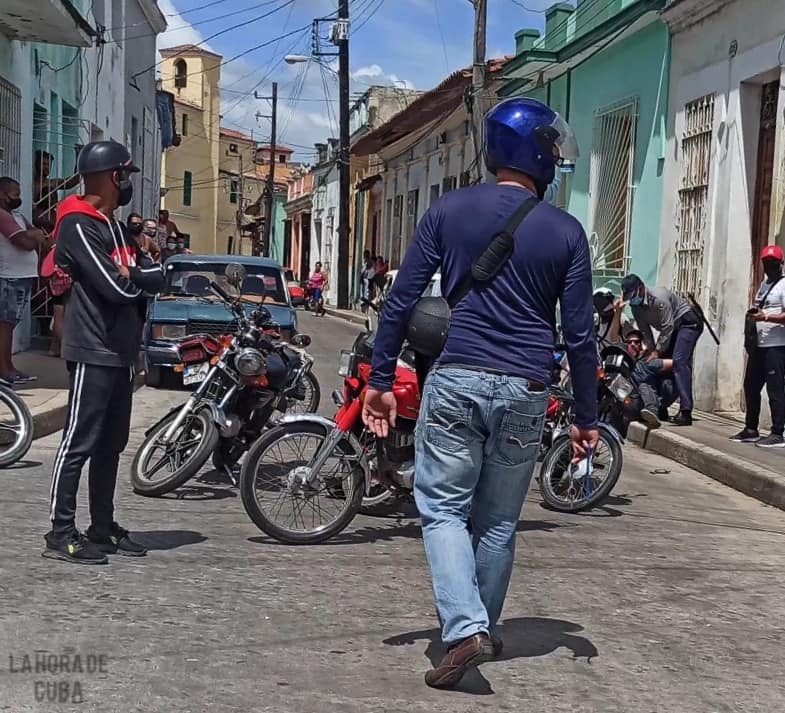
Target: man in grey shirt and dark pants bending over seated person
[{"x": 679, "y": 328}]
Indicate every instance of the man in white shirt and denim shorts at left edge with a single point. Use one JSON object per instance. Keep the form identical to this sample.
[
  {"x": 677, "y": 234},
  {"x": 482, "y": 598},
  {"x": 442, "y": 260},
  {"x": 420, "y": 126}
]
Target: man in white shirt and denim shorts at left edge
[{"x": 19, "y": 244}]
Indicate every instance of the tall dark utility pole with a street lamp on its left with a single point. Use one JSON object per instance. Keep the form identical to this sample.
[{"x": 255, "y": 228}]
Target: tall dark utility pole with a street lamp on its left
[{"x": 342, "y": 40}]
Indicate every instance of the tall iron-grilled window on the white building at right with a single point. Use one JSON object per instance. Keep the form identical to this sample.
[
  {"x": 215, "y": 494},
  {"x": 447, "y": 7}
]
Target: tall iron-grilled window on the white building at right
[{"x": 693, "y": 194}]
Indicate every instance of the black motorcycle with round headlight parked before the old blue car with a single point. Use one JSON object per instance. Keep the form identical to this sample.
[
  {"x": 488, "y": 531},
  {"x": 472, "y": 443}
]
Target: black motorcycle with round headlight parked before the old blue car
[{"x": 248, "y": 376}]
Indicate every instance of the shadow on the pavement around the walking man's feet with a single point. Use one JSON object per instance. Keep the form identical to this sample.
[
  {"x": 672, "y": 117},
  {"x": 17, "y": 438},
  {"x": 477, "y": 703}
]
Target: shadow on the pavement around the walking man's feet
[{"x": 523, "y": 637}]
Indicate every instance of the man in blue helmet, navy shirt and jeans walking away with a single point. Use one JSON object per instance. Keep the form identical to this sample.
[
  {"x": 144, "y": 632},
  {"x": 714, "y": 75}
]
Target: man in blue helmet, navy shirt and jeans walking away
[{"x": 483, "y": 404}]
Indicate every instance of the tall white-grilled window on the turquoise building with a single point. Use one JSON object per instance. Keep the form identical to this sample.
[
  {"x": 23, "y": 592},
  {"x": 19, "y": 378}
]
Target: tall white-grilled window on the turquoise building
[{"x": 610, "y": 208}]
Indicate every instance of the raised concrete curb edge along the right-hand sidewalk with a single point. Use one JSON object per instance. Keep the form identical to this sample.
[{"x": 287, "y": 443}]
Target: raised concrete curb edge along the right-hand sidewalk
[{"x": 756, "y": 481}]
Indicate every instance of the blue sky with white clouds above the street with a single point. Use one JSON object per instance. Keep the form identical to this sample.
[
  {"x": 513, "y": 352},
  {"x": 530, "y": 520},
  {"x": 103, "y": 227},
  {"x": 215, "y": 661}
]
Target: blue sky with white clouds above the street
[{"x": 414, "y": 43}]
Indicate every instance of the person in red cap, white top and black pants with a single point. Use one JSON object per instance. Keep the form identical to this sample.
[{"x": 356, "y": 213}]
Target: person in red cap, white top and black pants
[{"x": 766, "y": 362}]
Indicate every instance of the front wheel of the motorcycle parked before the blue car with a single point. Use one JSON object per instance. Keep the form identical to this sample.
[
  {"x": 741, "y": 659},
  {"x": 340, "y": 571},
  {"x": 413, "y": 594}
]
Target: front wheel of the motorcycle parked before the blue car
[{"x": 160, "y": 468}]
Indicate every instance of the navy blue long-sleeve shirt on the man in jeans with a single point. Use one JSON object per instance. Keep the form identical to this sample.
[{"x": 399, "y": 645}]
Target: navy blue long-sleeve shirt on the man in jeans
[{"x": 509, "y": 325}]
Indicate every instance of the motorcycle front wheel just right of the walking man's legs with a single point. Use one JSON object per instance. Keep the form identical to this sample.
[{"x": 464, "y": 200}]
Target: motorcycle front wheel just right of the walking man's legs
[{"x": 569, "y": 490}]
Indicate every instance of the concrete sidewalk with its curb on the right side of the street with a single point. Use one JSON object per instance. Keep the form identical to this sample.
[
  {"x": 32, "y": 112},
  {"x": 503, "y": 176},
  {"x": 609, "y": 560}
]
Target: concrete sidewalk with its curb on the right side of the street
[{"x": 705, "y": 447}]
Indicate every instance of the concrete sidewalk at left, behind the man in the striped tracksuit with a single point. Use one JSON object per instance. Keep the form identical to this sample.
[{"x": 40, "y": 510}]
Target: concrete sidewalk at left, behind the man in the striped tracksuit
[{"x": 47, "y": 397}]
